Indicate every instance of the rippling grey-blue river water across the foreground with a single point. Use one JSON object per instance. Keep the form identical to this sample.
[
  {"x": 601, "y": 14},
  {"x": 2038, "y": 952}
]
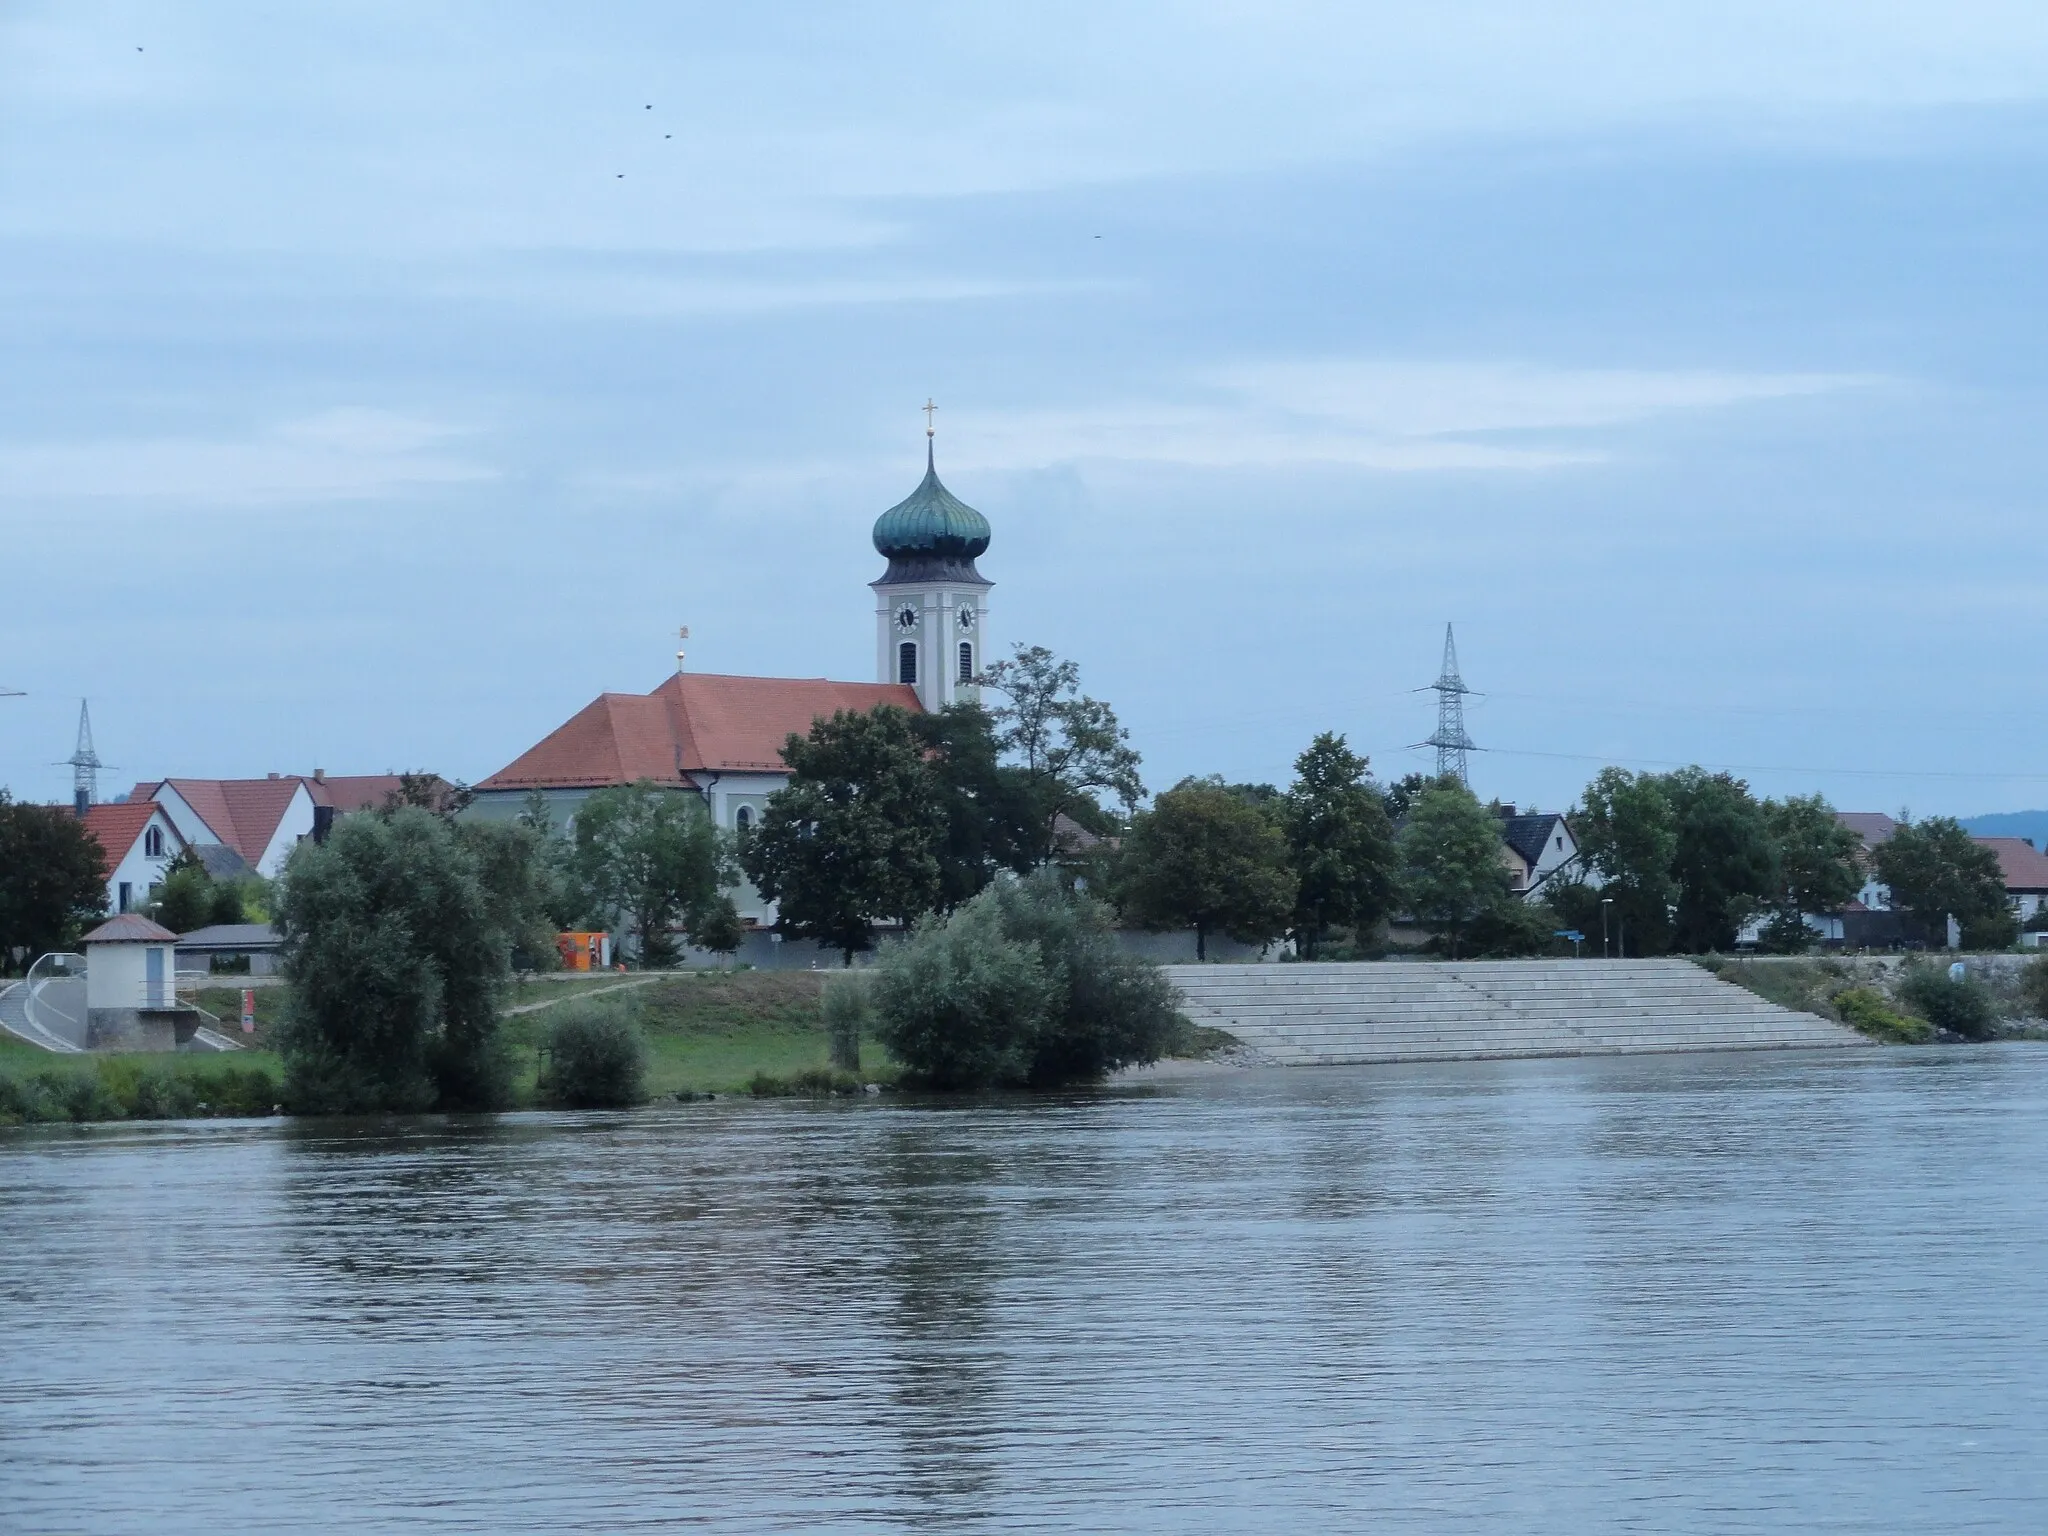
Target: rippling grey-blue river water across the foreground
[{"x": 1742, "y": 1293}]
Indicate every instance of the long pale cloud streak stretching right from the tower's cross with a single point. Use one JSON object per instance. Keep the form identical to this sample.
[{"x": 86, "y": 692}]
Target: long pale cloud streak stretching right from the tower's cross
[{"x": 1377, "y": 415}]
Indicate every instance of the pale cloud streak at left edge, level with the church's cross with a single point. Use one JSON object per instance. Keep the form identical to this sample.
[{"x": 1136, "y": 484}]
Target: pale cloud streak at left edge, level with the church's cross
[{"x": 331, "y": 456}]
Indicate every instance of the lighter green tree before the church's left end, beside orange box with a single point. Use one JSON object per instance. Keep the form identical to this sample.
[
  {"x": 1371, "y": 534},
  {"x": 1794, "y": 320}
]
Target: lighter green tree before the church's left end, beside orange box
[{"x": 652, "y": 855}]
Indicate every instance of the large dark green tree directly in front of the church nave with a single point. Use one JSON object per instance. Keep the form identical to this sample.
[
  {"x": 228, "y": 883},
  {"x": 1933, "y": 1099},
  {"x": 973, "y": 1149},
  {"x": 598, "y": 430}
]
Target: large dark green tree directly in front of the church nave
[{"x": 855, "y": 833}]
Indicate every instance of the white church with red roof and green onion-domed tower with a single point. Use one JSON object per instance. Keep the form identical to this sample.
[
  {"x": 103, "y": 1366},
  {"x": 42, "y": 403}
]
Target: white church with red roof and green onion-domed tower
[{"x": 722, "y": 736}]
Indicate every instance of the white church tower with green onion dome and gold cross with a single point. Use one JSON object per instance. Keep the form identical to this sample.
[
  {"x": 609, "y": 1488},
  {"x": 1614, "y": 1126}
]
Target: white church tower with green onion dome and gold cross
[{"x": 931, "y": 605}]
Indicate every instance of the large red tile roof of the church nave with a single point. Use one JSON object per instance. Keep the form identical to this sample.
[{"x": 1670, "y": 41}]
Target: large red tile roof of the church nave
[{"x": 689, "y": 726}]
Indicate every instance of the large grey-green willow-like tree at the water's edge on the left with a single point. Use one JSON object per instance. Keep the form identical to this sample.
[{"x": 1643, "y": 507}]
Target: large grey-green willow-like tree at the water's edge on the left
[{"x": 396, "y": 972}]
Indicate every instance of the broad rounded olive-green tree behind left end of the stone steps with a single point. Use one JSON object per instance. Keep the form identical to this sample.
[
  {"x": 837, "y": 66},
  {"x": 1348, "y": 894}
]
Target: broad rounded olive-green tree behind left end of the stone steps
[{"x": 1205, "y": 859}]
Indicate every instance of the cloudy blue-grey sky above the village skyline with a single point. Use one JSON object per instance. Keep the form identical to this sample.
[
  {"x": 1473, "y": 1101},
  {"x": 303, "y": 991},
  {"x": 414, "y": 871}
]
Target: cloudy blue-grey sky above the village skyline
[{"x": 384, "y": 382}]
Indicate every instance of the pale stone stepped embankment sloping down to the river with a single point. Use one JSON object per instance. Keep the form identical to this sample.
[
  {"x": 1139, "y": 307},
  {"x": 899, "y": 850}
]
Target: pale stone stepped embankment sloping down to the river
[{"x": 1471, "y": 1011}]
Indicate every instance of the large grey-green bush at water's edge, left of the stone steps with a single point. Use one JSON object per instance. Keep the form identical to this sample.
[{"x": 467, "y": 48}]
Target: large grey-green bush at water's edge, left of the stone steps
[{"x": 1023, "y": 986}]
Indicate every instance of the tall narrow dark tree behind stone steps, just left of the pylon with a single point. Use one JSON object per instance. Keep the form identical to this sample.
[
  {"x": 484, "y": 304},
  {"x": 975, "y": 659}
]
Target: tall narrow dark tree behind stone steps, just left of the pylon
[{"x": 1340, "y": 843}]
